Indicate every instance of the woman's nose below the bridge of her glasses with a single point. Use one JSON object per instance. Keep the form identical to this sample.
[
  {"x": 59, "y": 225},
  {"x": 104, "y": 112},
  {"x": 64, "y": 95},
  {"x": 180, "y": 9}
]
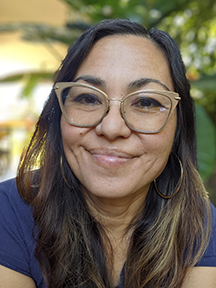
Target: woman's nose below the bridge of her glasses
[{"x": 113, "y": 125}]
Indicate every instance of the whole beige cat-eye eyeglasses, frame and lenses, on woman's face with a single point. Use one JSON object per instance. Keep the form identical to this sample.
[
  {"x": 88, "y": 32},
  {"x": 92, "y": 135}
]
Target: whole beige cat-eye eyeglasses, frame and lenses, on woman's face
[{"x": 144, "y": 111}]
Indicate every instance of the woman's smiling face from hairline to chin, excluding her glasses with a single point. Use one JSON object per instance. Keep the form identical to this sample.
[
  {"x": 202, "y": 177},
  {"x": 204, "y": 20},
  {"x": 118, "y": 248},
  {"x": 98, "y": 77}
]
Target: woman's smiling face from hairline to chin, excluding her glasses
[{"x": 110, "y": 160}]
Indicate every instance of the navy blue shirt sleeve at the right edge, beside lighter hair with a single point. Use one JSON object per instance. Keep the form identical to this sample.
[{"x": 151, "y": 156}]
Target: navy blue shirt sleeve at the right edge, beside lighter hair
[{"x": 209, "y": 257}]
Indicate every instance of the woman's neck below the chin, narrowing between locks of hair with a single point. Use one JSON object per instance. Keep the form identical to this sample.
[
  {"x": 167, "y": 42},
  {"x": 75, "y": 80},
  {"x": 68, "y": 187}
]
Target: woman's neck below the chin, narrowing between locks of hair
[{"x": 116, "y": 216}]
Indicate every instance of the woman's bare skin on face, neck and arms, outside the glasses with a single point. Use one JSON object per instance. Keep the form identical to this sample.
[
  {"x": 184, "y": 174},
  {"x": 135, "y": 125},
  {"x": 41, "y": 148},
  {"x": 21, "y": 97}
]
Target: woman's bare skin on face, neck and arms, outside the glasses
[{"x": 114, "y": 164}]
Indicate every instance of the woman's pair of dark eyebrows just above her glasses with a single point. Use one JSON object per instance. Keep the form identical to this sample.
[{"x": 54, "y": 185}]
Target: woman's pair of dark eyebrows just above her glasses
[{"x": 134, "y": 85}]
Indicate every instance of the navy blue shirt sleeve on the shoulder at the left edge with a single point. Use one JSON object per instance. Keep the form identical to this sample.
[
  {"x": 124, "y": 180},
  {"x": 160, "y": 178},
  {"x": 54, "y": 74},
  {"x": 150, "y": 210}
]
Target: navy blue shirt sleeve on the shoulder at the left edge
[{"x": 16, "y": 221}]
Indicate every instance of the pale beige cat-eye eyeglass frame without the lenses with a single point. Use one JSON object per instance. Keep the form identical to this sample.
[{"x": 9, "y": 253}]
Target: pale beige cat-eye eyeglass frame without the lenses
[{"x": 60, "y": 86}]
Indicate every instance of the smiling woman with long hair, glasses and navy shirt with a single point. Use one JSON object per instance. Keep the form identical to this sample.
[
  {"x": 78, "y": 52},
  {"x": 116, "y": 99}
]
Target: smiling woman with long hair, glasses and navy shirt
[{"x": 110, "y": 174}]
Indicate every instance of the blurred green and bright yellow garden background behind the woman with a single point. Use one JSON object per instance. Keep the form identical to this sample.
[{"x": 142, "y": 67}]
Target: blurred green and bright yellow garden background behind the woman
[{"x": 35, "y": 36}]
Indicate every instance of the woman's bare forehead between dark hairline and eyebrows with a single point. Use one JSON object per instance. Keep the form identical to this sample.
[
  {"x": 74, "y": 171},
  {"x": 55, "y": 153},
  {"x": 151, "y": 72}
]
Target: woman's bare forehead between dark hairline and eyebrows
[{"x": 126, "y": 58}]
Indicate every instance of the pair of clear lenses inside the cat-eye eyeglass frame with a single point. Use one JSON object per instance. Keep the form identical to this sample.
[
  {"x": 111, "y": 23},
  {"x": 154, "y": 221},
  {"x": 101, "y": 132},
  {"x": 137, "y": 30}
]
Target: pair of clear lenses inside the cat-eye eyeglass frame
[{"x": 144, "y": 111}]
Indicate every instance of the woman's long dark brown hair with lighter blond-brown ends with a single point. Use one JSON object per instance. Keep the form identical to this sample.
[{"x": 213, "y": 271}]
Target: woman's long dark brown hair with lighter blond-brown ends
[{"x": 169, "y": 236}]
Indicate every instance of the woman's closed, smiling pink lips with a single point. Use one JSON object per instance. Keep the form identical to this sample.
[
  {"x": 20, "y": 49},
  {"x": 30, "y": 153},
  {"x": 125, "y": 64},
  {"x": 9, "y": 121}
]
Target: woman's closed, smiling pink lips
[{"x": 106, "y": 157}]
